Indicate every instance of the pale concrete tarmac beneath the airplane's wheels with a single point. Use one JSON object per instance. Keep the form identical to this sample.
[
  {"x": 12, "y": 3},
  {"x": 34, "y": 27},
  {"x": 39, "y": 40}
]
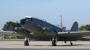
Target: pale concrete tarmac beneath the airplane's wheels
[{"x": 44, "y": 45}]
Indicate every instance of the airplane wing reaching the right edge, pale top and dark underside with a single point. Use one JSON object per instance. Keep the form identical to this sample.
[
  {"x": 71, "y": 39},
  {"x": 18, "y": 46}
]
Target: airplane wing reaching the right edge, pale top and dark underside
[{"x": 77, "y": 34}]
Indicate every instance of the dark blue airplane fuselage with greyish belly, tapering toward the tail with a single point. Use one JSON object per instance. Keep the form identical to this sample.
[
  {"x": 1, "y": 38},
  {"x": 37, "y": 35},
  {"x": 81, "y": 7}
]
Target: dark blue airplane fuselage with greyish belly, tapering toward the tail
[{"x": 40, "y": 27}]
